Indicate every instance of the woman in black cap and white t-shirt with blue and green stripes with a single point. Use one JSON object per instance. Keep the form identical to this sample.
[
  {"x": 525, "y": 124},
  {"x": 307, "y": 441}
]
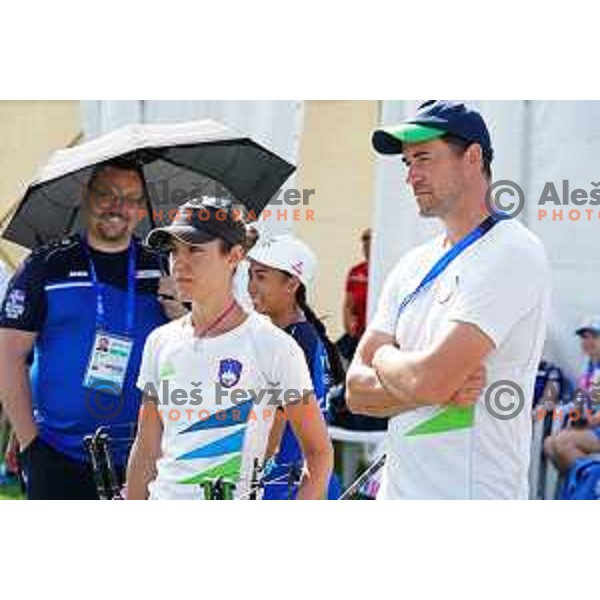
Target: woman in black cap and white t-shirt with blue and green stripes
[{"x": 210, "y": 379}]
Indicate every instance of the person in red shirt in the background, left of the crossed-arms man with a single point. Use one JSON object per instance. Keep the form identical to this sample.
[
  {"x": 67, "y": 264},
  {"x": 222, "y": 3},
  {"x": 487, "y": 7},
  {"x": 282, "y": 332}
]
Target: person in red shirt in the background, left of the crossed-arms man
[{"x": 355, "y": 302}]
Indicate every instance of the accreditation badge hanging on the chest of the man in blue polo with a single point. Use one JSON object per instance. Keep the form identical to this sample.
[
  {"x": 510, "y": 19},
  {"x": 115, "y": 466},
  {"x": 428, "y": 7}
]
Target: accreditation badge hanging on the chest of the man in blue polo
[{"x": 107, "y": 366}]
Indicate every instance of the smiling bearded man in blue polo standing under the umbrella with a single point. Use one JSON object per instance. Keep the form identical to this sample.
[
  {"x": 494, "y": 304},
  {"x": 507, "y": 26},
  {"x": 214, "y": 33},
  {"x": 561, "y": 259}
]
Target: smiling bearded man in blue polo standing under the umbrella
[{"x": 84, "y": 305}]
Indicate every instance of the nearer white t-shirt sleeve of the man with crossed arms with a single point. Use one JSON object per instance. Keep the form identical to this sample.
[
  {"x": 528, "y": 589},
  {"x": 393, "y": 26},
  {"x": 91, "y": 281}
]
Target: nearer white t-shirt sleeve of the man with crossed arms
[{"x": 499, "y": 293}]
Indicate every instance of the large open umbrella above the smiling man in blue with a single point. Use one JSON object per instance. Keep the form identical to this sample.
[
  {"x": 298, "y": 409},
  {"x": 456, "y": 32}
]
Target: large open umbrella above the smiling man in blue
[{"x": 202, "y": 157}]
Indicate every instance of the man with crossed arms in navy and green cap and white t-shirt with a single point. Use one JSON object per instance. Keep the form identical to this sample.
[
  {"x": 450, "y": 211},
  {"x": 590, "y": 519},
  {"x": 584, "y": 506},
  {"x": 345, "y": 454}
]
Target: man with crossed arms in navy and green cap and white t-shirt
[{"x": 452, "y": 352}]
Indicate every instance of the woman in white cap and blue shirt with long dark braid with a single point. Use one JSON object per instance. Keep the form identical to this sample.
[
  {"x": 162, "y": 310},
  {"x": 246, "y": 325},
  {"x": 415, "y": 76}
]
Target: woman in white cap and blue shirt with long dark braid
[{"x": 281, "y": 269}]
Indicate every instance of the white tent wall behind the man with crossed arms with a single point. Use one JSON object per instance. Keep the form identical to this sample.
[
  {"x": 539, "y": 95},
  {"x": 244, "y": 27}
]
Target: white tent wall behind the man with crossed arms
[{"x": 535, "y": 142}]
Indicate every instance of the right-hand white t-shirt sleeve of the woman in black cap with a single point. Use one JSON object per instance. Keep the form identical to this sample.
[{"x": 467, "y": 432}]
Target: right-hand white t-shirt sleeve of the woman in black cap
[{"x": 288, "y": 370}]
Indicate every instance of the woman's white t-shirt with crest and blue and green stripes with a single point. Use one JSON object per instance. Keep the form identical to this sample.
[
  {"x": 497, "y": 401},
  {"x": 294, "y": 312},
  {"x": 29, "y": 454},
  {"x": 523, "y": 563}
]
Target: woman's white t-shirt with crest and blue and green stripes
[{"x": 212, "y": 426}]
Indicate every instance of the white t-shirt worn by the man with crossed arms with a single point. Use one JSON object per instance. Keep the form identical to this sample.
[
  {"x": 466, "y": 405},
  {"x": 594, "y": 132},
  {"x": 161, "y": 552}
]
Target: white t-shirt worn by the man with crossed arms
[{"x": 501, "y": 285}]
